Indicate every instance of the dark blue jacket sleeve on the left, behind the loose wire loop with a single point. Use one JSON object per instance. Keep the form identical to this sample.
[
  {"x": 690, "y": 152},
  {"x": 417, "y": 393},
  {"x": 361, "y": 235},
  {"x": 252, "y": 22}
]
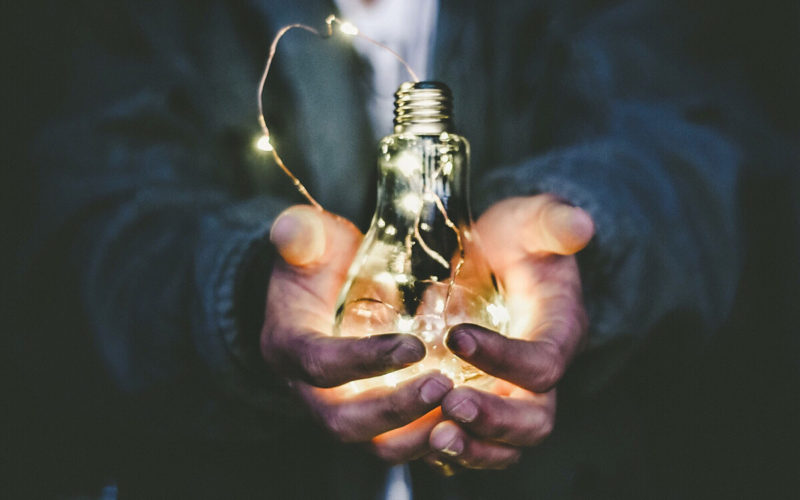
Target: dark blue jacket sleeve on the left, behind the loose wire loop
[{"x": 144, "y": 201}]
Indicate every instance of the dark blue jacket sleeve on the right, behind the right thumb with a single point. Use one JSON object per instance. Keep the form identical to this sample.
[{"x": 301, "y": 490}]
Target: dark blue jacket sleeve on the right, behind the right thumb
[{"x": 627, "y": 127}]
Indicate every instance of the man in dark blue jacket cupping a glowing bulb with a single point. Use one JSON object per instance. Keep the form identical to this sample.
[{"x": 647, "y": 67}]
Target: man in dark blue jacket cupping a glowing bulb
[{"x": 161, "y": 214}]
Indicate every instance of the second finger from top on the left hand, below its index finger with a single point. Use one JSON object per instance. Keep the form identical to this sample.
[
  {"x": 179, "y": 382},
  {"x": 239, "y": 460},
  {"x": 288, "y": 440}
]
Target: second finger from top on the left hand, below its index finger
[{"x": 364, "y": 416}]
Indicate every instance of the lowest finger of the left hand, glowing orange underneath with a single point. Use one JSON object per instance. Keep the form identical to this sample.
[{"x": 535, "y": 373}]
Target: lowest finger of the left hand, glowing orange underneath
[{"x": 409, "y": 442}]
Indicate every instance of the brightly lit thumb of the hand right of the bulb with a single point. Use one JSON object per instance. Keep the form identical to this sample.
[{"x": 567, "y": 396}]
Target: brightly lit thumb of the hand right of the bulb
[{"x": 543, "y": 223}]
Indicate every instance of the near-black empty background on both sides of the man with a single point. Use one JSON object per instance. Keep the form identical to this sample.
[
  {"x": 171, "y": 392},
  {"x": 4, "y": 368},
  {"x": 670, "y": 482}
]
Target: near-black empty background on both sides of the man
[{"x": 724, "y": 424}]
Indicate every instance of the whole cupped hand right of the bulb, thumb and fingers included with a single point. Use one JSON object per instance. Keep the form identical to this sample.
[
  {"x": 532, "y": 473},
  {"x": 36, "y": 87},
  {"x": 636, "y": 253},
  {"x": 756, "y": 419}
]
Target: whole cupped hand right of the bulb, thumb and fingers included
[{"x": 530, "y": 243}]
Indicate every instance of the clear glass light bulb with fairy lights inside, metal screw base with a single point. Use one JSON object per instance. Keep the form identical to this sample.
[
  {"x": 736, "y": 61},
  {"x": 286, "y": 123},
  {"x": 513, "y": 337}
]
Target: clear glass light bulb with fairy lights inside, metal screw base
[{"x": 420, "y": 268}]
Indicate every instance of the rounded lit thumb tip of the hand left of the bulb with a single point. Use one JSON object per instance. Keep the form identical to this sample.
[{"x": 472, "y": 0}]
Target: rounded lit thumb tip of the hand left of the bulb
[{"x": 299, "y": 235}]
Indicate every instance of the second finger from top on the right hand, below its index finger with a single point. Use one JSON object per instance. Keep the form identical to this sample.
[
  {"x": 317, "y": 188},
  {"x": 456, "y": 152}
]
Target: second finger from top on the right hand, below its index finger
[{"x": 522, "y": 420}]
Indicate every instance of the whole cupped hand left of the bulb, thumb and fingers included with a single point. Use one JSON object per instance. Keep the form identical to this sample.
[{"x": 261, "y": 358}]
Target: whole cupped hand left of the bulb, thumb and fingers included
[{"x": 316, "y": 249}]
